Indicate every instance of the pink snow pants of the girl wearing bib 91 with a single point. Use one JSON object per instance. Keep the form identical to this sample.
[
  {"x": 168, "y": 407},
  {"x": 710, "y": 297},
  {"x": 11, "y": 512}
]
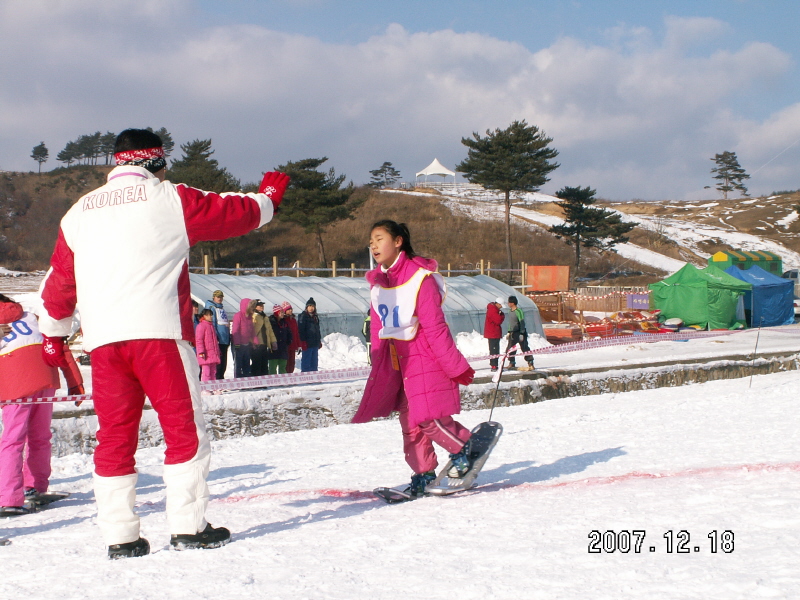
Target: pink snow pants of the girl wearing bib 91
[{"x": 418, "y": 441}]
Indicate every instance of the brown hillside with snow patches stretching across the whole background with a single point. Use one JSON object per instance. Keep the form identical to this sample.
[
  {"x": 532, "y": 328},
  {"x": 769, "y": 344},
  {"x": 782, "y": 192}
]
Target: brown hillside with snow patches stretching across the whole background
[{"x": 458, "y": 229}]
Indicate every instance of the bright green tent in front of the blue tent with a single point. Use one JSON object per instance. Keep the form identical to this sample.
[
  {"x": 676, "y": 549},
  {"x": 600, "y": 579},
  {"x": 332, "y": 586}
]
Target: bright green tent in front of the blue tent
[{"x": 705, "y": 297}]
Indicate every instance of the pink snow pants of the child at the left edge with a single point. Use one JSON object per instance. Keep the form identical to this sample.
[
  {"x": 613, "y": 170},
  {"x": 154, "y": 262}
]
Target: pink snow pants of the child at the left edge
[{"x": 25, "y": 424}]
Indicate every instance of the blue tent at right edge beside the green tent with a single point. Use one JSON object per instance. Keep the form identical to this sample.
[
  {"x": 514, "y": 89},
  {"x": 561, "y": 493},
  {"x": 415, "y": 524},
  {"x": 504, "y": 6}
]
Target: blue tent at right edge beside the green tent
[{"x": 772, "y": 300}]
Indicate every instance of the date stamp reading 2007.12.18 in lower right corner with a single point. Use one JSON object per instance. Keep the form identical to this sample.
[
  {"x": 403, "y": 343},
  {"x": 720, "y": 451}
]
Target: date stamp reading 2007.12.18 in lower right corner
[{"x": 670, "y": 542}]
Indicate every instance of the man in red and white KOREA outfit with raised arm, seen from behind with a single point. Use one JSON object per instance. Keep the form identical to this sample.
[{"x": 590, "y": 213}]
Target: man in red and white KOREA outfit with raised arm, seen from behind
[{"x": 130, "y": 239}]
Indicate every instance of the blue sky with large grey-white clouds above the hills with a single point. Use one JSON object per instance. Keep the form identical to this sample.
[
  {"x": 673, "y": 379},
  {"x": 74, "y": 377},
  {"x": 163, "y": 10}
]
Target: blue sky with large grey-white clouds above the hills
[{"x": 637, "y": 96}]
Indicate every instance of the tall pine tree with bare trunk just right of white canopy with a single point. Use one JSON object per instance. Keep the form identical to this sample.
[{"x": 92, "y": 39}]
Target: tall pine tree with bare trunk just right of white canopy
[{"x": 515, "y": 159}]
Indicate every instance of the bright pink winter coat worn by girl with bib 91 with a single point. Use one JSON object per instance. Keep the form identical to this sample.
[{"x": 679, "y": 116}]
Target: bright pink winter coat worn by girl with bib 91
[{"x": 428, "y": 363}]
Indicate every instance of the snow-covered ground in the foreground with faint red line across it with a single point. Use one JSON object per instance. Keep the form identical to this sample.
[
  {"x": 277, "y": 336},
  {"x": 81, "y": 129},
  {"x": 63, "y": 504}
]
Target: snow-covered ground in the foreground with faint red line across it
[{"x": 712, "y": 457}]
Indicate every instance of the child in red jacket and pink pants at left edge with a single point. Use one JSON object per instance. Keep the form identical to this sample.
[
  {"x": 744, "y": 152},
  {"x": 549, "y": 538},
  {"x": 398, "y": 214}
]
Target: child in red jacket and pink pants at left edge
[{"x": 25, "y": 442}]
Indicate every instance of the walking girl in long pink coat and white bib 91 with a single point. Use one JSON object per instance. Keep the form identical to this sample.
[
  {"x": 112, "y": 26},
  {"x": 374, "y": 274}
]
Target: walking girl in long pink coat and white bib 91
[{"x": 416, "y": 367}]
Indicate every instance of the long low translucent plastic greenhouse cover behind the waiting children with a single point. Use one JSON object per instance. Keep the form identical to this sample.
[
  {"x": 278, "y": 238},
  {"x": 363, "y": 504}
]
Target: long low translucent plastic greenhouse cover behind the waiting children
[{"x": 343, "y": 302}]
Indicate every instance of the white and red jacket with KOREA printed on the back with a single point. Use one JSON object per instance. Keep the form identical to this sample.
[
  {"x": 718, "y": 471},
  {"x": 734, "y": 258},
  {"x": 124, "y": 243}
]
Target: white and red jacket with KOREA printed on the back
[{"x": 127, "y": 243}]
